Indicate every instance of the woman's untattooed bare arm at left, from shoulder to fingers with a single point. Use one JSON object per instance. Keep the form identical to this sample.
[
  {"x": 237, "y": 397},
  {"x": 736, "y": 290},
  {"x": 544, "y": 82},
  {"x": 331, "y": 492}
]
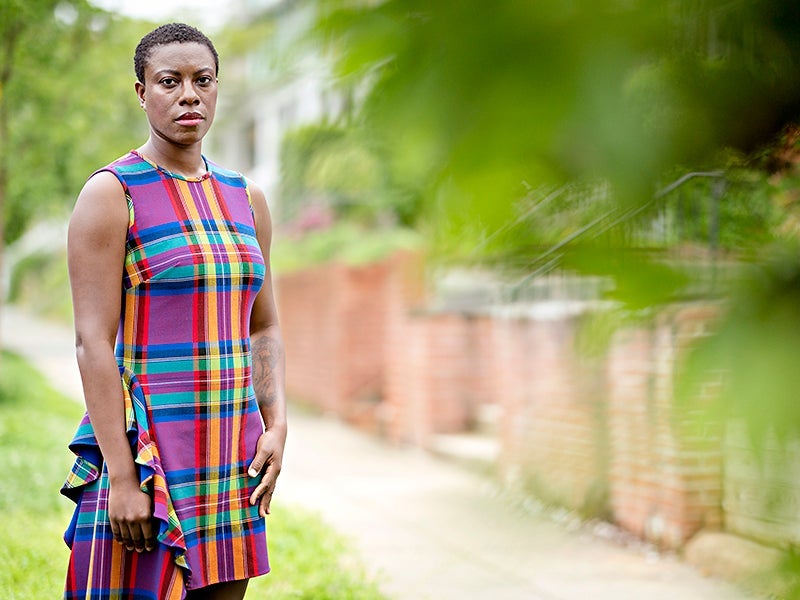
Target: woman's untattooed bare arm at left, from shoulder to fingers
[{"x": 95, "y": 256}]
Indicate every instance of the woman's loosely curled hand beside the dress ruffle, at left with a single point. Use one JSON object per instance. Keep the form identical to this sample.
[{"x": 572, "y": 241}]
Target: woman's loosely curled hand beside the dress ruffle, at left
[{"x": 130, "y": 512}]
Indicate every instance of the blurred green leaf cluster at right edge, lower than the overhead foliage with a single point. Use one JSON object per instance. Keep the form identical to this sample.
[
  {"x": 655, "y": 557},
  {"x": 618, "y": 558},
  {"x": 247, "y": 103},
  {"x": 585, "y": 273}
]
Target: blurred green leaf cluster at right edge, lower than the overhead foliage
[{"x": 756, "y": 353}]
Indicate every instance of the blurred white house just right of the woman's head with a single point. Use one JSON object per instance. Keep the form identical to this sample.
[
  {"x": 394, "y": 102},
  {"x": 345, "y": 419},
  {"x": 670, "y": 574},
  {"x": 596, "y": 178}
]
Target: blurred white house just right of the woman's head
[{"x": 281, "y": 83}]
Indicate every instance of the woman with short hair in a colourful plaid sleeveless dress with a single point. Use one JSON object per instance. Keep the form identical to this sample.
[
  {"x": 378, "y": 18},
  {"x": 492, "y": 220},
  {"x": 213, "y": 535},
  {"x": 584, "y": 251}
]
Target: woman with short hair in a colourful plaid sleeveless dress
[{"x": 169, "y": 267}]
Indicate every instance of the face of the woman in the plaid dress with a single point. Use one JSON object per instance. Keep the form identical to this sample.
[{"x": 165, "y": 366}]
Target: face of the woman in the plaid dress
[{"x": 179, "y": 93}]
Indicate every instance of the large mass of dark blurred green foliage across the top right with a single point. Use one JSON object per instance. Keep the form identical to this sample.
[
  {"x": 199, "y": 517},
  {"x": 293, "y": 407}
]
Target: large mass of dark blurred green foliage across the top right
[{"x": 487, "y": 109}]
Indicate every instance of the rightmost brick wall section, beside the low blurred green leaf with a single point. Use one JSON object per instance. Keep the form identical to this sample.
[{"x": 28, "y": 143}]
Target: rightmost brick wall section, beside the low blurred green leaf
[{"x": 666, "y": 461}]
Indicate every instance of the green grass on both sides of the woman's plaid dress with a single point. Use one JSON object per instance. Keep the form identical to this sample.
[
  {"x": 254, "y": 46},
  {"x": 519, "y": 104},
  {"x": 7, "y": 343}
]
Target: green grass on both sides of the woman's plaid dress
[{"x": 36, "y": 424}]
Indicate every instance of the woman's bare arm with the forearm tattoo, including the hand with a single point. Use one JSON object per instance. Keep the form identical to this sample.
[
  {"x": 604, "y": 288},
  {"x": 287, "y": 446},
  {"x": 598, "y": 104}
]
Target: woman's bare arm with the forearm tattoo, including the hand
[{"x": 268, "y": 369}]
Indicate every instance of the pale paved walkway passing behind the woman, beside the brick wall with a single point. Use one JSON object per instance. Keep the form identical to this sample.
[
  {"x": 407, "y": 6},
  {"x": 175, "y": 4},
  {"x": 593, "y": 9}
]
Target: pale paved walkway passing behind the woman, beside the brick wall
[{"x": 428, "y": 528}]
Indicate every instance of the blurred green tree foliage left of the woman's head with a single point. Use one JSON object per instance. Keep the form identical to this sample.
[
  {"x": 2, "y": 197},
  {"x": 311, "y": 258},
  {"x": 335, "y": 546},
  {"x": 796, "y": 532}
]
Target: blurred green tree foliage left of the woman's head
[{"x": 67, "y": 99}]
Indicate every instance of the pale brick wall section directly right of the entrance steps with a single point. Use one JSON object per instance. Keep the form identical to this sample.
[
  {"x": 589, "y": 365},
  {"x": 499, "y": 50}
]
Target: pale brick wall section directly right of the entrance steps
[{"x": 553, "y": 411}]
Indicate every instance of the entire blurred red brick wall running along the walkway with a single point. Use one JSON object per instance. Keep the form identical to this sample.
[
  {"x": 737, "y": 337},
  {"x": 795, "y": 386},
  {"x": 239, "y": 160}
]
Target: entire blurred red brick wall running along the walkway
[{"x": 594, "y": 435}]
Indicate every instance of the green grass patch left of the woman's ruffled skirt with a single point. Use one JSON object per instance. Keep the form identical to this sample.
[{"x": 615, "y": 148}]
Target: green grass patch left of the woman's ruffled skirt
[{"x": 35, "y": 421}]
